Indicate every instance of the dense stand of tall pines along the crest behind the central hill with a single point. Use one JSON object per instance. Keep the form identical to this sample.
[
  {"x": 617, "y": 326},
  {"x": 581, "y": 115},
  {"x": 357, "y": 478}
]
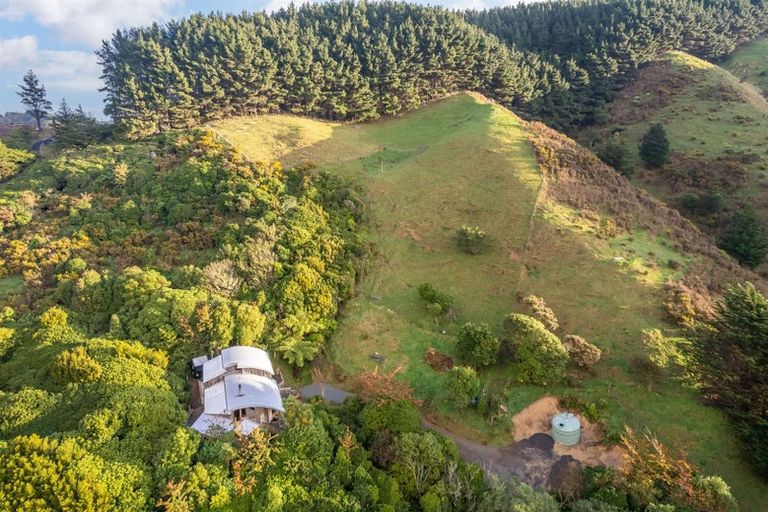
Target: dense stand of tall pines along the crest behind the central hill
[{"x": 332, "y": 60}]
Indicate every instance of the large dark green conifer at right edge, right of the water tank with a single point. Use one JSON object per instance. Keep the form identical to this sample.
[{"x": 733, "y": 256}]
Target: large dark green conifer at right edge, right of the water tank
[{"x": 731, "y": 362}]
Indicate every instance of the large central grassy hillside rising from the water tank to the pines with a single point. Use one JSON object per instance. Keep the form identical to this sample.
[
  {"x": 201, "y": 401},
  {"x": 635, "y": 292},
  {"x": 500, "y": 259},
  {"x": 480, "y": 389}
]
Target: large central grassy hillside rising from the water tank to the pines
[{"x": 563, "y": 226}]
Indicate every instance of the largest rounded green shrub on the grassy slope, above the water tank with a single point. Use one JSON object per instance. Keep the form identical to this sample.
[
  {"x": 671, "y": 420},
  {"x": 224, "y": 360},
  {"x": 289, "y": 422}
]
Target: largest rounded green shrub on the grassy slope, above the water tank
[{"x": 541, "y": 356}]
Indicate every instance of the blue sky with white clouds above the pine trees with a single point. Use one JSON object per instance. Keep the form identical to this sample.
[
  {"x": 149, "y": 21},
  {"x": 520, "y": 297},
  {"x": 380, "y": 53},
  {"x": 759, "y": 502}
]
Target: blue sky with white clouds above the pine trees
[{"x": 57, "y": 39}]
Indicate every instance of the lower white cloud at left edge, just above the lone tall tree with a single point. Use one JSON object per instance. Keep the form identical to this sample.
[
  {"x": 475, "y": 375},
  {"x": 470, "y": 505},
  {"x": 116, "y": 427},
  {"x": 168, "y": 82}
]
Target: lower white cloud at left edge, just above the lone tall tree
[{"x": 57, "y": 69}]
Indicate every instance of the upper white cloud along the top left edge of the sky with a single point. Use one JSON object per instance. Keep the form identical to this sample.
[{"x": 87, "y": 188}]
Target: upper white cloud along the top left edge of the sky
[{"x": 88, "y": 21}]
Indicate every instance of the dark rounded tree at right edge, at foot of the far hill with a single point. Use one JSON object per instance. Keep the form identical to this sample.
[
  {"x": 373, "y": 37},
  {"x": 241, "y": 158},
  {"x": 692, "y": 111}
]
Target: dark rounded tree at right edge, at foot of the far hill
[{"x": 745, "y": 238}]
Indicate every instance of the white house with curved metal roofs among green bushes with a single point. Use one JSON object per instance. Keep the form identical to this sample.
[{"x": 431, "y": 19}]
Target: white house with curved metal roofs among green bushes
[{"x": 238, "y": 386}]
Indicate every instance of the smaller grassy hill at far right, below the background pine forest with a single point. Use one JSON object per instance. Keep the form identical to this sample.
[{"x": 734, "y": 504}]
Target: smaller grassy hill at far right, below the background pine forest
[{"x": 716, "y": 125}]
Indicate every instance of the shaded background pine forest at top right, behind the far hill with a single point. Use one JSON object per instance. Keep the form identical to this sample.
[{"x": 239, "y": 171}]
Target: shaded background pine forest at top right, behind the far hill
[{"x": 598, "y": 44}]
